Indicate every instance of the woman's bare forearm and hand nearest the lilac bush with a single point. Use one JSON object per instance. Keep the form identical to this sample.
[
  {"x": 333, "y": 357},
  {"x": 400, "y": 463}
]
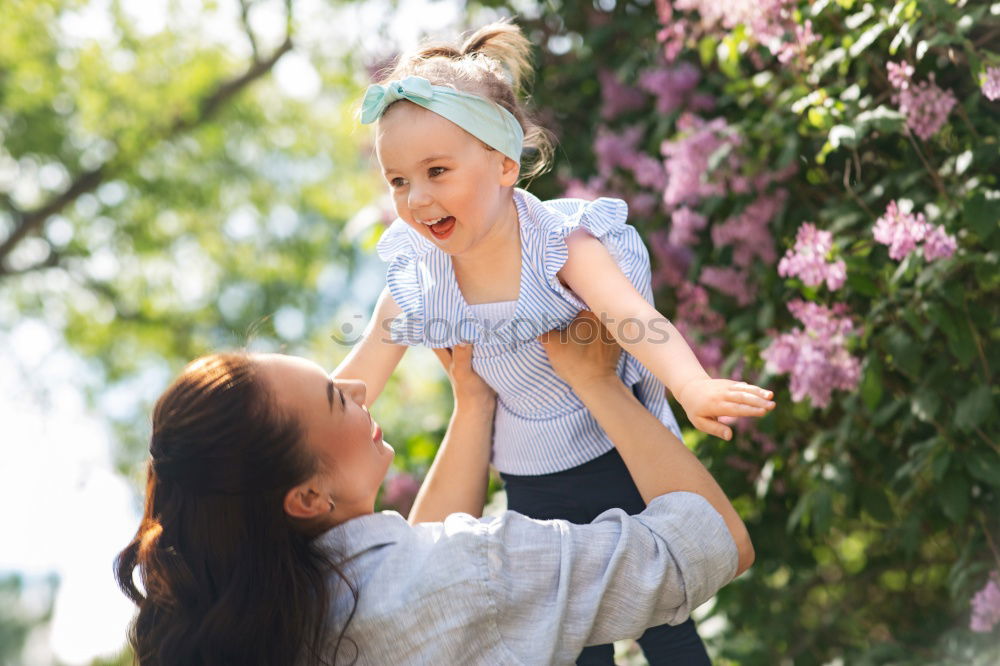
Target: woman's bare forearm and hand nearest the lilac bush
[{"x": 658, "y": 462}]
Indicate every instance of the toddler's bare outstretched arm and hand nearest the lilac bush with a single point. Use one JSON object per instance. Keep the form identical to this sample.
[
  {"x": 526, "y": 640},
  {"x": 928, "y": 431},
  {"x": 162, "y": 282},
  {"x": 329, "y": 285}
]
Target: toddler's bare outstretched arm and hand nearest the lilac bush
[{"x": 641, "y": 330}]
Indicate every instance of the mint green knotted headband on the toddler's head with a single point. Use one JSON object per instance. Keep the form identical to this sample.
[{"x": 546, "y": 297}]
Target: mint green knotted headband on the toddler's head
[{"x": 487, "y": 121}]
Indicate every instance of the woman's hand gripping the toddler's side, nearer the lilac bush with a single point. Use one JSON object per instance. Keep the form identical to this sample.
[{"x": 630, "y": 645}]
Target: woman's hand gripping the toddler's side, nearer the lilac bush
[{"x": 584, "y": 353}]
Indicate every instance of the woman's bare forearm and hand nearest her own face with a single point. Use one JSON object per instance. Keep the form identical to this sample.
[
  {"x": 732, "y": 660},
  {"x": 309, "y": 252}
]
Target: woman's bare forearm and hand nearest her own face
[{"x": 458, "y": 477}]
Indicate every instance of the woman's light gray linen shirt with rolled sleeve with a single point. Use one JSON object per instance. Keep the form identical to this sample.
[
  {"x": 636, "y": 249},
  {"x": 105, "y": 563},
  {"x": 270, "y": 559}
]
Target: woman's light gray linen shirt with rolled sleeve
[{"x": 513, "y": 590}]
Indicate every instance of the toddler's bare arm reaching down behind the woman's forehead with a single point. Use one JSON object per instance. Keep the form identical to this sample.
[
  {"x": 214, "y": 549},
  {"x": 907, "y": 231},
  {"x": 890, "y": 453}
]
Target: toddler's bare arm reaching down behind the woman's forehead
[{"x": 374, "y": 358}]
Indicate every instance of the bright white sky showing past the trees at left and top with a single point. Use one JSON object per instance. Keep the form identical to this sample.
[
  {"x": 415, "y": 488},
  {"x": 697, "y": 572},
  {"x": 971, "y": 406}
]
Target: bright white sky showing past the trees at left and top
[{"x": 62, "y": 507}]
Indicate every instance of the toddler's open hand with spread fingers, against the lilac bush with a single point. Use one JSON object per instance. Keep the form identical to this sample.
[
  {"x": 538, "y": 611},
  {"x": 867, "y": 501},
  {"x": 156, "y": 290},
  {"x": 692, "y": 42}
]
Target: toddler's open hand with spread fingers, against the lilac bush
[{"x": 712, "y": 403}]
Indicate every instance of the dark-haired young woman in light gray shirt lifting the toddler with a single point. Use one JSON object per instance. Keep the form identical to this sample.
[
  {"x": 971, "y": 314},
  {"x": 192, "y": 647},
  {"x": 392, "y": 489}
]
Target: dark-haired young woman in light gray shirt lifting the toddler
[{"x": 259, "y": 543}]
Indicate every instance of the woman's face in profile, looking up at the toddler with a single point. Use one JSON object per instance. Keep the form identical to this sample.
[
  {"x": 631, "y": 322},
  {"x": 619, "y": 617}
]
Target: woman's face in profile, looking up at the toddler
[{"x": 337, "y": 426}]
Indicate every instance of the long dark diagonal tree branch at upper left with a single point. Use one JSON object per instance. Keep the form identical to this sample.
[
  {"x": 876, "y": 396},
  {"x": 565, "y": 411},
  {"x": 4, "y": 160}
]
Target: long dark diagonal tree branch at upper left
[{"x": 30, "y": 221}]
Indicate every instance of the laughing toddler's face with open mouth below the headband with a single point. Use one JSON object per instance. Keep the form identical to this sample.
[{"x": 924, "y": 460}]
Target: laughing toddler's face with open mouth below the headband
[{"x": 436, "y": 170}]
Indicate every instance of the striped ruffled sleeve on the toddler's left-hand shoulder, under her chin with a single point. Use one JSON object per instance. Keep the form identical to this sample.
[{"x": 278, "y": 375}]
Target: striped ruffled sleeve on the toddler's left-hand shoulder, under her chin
[{"x": 401, "y": 249}]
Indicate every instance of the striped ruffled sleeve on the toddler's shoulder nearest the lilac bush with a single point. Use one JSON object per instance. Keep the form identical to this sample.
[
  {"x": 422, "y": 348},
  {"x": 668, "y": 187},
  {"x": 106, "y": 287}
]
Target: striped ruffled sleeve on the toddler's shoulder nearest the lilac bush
[{"x": 605, "y": 219}]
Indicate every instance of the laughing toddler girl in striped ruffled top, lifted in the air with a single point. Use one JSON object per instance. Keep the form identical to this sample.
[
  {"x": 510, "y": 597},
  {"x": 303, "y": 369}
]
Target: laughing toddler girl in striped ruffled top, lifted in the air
[{"x": 473, "y": 259}]
